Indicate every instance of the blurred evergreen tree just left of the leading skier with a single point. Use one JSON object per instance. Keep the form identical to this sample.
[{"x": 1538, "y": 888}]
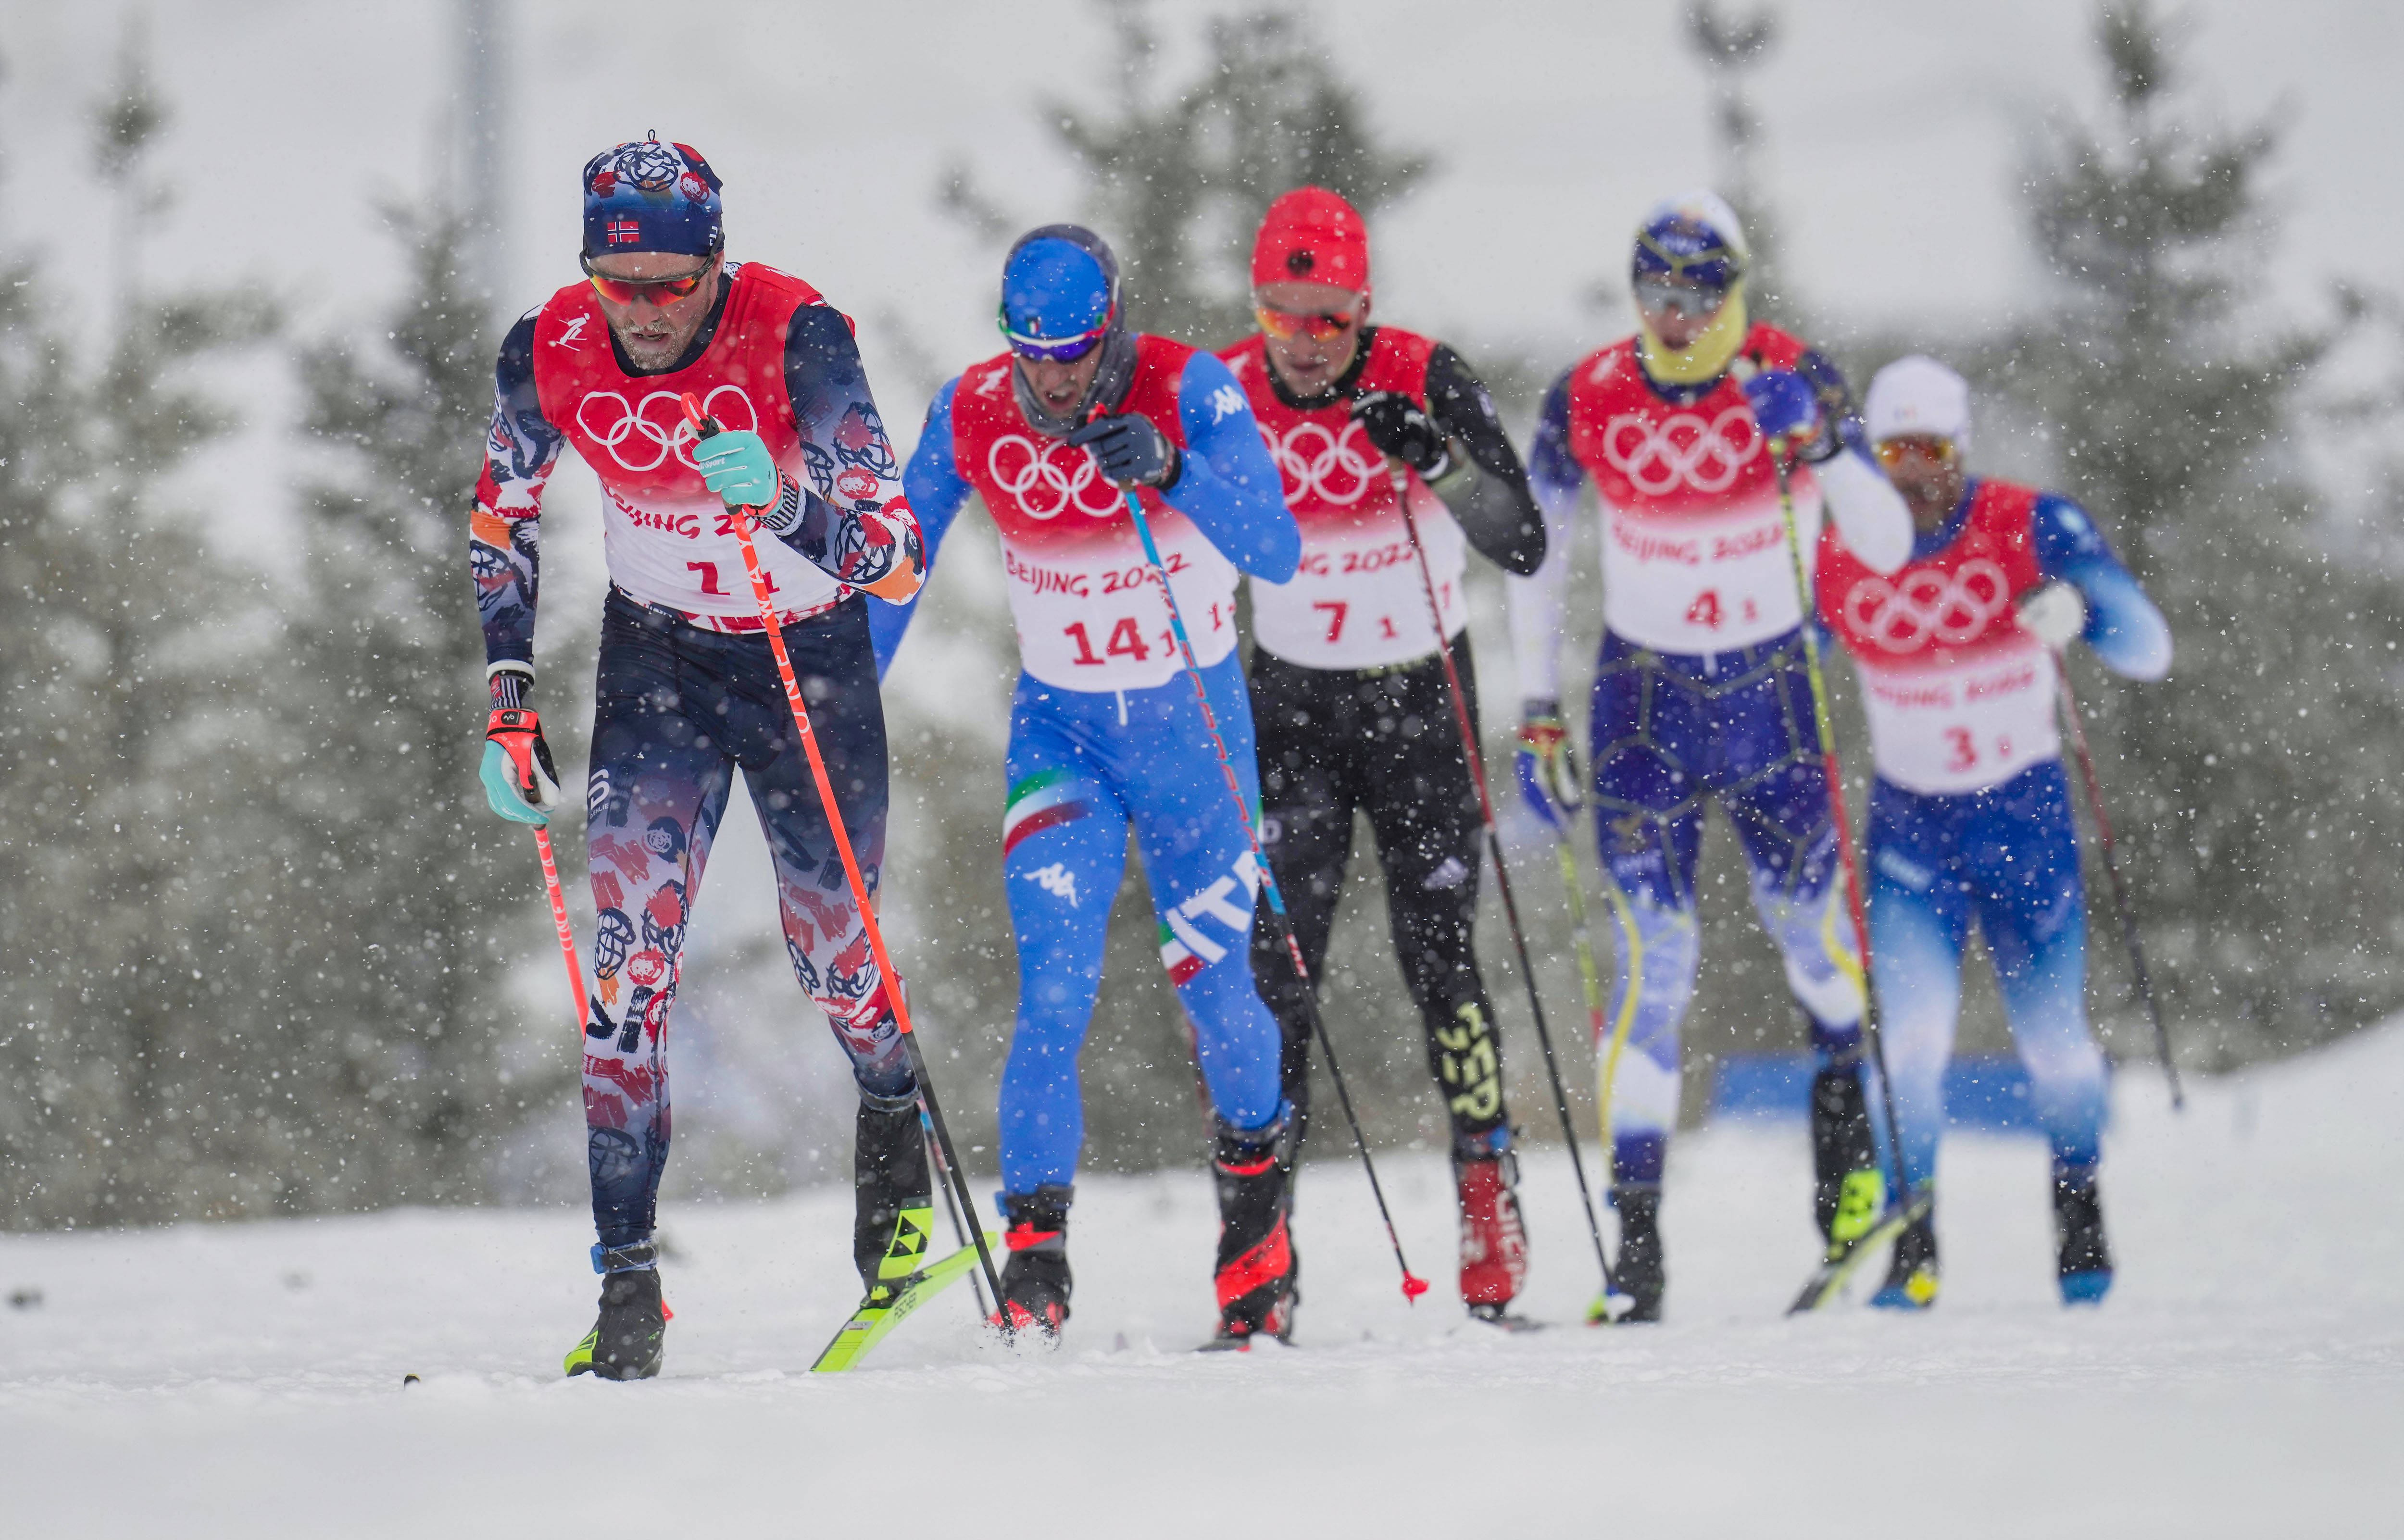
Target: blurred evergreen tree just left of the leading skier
[{"x": 419, "y": 902}]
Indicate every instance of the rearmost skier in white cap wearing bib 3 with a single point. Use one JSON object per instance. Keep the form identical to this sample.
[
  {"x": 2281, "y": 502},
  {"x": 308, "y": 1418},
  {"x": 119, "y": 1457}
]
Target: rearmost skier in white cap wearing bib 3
[{"x": 1970, "y": 816}]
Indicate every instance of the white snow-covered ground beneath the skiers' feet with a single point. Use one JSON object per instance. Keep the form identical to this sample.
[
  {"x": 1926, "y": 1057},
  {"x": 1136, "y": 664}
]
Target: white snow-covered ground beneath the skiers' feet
[{"x": 2244, "y": 1380}]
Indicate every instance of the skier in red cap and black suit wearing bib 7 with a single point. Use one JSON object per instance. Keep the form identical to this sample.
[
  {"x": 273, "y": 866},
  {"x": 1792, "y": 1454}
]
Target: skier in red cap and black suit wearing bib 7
[{"x": 1347, "y": 686}]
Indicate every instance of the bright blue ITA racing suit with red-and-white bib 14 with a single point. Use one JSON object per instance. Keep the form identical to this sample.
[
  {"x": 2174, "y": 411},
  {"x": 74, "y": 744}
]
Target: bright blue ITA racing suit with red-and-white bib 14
[{"x": 1107, "y": 734}]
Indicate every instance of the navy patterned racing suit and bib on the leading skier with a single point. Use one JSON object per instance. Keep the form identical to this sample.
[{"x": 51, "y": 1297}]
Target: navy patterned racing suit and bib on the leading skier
[{"x": 689, "y": 691}]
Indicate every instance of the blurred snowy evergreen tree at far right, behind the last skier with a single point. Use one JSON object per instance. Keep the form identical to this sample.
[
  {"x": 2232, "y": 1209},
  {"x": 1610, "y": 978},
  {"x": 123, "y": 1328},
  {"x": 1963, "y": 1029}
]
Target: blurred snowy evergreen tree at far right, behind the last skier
[{"x": 2266, "y": 760}]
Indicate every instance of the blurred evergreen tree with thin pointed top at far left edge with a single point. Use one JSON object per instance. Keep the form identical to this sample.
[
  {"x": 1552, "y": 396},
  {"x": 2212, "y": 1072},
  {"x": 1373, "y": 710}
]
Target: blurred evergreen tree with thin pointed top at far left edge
[{"x": 145, "y": 1046}]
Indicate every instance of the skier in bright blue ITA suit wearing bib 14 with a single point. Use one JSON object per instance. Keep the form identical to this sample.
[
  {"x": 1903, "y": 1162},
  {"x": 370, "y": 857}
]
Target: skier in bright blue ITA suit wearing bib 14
[{"x": 1105, "y": 732}]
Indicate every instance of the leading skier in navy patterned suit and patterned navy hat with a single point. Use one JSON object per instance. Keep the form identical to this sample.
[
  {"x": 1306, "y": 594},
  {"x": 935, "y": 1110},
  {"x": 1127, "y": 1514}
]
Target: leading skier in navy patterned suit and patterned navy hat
[{"x": 689, "y": 691}]
